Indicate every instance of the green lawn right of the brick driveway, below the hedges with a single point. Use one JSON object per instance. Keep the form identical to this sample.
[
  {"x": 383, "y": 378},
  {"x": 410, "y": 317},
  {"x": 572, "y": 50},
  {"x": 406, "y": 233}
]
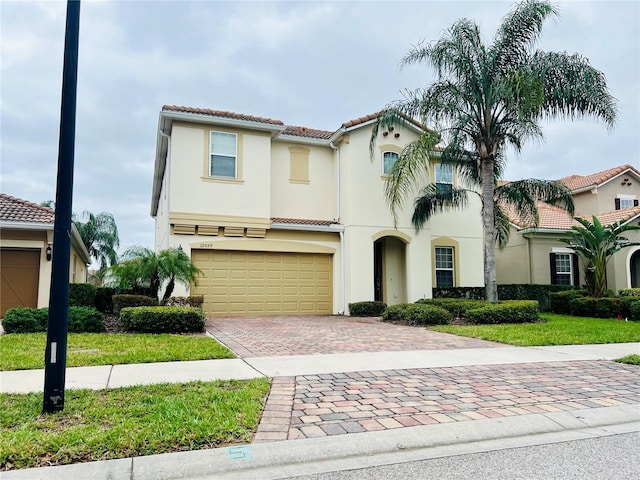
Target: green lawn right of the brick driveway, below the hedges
[{"x": 555, "y": 330}]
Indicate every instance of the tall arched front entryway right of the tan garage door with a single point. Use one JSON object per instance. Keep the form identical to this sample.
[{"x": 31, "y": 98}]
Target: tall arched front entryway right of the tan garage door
[{"x": 389, "y": 270}]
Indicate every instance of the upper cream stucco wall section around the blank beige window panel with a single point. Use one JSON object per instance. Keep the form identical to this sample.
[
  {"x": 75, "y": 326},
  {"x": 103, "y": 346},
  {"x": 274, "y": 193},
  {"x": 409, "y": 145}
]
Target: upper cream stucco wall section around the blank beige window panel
[{"x": 315, "y": 199}]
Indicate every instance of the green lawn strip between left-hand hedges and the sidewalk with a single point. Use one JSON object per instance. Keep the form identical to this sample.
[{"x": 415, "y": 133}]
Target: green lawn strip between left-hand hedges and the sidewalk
[{"x": 20, "y": 351}]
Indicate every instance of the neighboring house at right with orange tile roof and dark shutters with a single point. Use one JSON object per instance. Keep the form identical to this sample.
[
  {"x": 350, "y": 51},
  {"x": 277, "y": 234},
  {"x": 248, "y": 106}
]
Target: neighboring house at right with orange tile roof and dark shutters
[{"x": 612, "y": 195}]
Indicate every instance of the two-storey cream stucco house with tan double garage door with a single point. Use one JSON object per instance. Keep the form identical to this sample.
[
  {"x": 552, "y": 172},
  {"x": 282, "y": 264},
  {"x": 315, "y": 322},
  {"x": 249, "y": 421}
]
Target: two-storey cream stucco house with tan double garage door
[{"x": 285, "y": 219}]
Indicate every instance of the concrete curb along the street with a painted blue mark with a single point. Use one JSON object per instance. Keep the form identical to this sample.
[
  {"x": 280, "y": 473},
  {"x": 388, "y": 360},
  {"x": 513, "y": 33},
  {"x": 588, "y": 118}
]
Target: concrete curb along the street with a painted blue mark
[{"x": 276, "y": 460}]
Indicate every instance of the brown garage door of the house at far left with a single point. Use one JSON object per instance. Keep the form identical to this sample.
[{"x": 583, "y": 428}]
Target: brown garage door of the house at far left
[{"x": 19, "y": 270}]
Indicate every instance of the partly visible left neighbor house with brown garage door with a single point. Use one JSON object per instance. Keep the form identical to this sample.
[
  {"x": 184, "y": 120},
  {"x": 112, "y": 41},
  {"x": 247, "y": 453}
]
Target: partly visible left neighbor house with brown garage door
[{"x": 26, "y": 246}]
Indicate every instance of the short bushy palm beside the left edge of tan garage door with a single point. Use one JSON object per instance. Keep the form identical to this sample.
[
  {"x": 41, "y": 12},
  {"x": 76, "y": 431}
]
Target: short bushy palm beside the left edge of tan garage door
[{"x": 142, "y": 266}]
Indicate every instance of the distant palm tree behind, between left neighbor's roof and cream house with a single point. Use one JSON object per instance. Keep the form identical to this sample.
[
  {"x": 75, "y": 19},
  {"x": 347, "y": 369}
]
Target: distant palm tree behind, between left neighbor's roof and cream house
[{"x": 99, "y": 234}]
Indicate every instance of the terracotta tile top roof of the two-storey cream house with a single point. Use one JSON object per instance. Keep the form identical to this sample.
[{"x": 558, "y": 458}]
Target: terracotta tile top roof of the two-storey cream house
[{"x": 296, "y": 131}]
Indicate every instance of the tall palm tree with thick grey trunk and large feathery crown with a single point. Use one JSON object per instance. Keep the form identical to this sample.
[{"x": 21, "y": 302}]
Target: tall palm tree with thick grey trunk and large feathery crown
[{"x": 490, "y": 97}]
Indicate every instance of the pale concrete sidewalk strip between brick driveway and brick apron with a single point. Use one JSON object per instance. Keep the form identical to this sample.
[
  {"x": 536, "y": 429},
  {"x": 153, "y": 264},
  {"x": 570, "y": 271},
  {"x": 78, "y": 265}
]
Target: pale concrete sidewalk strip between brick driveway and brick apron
[{"x": 112, "y": 376}]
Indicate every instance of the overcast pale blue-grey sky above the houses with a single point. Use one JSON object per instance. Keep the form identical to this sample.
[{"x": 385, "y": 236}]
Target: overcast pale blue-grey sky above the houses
[{"x": 314, "y": 64}]
